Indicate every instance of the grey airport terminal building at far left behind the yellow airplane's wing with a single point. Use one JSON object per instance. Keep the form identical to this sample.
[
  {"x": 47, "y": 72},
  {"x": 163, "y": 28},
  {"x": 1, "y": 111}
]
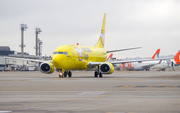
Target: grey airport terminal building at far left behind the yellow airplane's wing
[{"x": 19, "y": 65}]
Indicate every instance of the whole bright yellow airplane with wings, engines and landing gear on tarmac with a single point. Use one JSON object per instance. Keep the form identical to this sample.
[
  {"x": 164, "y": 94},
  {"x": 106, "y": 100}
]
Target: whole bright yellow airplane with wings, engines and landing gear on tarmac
[{"x": 77, "y": 57}]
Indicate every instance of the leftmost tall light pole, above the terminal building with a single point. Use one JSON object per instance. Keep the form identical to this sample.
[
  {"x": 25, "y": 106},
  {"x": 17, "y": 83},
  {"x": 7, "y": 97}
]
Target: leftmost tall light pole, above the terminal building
[{"x": 23, "y": 28}]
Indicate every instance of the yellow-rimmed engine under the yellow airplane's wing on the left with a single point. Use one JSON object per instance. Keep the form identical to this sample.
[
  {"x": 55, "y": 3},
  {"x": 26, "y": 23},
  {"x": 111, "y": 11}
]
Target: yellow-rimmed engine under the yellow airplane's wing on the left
[{"x": 47, "y": 67}]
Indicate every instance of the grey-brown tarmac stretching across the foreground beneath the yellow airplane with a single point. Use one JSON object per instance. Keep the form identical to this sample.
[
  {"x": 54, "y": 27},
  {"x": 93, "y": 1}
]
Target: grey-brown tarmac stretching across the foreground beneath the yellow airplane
[{"x": 120, "y": 92}]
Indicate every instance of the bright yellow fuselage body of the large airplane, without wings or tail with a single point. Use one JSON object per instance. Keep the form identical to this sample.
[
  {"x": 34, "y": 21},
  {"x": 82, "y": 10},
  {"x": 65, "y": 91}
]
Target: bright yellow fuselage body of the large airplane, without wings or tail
[{"x": 75, "y": 57}]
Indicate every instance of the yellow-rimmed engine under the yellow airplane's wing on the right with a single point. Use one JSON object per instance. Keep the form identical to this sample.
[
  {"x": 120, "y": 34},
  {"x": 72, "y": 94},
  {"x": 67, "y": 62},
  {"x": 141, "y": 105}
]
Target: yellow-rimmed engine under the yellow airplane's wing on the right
[{"x": 106, "y": 68}]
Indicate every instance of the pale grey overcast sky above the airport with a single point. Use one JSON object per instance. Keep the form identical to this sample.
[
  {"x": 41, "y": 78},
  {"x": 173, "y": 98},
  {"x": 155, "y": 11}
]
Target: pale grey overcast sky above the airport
[{"x": 150, "y": 24}]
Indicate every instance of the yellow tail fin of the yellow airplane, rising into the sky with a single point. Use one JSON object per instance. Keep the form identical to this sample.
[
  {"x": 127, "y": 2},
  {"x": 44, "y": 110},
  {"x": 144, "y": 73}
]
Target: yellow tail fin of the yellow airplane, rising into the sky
[{"x": 100, "y": 43}]
